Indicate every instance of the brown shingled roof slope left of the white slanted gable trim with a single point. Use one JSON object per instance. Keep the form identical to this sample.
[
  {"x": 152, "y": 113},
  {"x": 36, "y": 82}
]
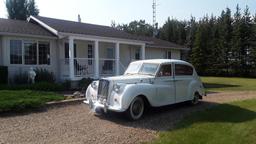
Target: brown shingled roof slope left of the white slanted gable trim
[{"x": 9, "y": 26}]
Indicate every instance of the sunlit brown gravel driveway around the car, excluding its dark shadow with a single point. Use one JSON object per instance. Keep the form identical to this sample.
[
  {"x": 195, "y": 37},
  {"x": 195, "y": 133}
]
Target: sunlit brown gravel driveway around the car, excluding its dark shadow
[{"x": 75, "y": 123}]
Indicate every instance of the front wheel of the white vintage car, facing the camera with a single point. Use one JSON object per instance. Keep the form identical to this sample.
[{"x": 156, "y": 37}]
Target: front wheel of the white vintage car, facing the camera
[{"x": 136, "y": 109}]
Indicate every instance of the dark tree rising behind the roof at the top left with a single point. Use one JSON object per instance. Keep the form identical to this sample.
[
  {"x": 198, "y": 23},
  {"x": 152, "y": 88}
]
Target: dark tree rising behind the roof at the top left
[{"x": 21, "y": 9}]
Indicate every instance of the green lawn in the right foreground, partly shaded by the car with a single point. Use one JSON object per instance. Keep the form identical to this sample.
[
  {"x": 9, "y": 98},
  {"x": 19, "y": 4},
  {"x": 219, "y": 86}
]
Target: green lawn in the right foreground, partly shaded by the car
[{"x": 233, "y": 123}]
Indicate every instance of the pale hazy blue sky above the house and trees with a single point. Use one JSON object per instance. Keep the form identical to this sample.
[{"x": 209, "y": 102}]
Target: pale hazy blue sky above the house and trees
[{"x": 123, "y": 11}]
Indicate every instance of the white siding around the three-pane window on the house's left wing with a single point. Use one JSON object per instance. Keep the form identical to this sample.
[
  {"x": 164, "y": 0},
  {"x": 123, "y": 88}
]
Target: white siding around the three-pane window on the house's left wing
[{"x": 18, "y": 68}]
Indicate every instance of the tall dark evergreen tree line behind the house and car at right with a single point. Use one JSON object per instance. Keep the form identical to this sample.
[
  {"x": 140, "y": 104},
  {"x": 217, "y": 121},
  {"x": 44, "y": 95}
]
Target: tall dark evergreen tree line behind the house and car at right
[{"x": 222, "y": 45}]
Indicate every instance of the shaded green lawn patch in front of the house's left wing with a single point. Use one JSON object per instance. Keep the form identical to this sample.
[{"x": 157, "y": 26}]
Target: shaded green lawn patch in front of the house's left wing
[{"x": 25, "y": 99}]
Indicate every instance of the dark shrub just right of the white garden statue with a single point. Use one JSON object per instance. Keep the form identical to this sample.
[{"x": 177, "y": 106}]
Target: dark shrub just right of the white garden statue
[{"x": 43, "y": 75}]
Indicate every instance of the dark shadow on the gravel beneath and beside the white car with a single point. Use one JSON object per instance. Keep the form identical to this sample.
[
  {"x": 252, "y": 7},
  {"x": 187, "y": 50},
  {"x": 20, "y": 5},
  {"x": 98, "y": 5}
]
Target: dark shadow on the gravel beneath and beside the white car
[{"x": 157, "y": 118}]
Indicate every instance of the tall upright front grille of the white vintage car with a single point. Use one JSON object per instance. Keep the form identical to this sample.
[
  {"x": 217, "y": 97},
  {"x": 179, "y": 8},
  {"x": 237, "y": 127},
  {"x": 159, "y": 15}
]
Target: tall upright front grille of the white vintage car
[{"x": 103, "y": 90}]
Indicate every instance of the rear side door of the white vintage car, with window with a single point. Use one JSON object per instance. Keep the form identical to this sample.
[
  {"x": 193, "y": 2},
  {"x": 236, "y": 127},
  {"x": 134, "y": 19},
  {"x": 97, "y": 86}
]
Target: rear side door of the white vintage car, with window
[{"x": 182, "y": 77}]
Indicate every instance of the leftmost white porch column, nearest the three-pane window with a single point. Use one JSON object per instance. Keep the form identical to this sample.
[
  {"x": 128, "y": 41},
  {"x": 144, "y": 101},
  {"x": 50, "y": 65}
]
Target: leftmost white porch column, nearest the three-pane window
[{"x": 71, "y": 58}]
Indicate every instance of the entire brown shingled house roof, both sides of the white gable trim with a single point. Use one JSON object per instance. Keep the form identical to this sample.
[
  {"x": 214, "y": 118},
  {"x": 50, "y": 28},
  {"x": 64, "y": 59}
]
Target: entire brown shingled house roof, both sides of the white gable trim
[{"x": 31, "y": 27}]
